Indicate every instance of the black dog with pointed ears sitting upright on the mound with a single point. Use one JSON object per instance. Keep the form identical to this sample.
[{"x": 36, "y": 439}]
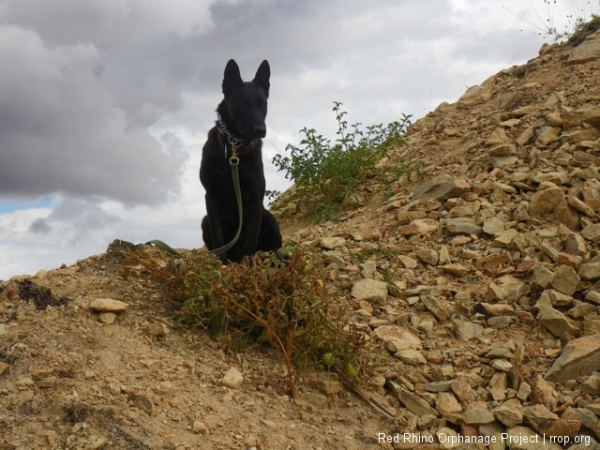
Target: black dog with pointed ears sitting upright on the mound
[{"x": 239, "y": 130}]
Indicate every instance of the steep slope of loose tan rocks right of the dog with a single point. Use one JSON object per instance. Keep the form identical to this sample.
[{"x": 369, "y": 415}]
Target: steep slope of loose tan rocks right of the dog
[{"x": 482, "y": 278}]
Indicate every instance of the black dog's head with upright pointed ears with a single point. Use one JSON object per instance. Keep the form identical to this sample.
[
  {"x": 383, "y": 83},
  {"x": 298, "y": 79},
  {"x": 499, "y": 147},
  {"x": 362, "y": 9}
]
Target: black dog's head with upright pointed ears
[{"x": 246, "y": 101}]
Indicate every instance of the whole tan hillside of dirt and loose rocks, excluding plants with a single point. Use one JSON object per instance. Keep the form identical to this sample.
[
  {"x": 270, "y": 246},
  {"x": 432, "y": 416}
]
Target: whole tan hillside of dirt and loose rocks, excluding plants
[{"x": 479, "y": 281}]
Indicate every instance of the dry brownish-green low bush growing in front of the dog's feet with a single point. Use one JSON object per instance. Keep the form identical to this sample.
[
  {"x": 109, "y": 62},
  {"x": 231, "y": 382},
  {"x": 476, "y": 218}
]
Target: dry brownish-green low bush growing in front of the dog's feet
[{"x": 261, "y": 301}]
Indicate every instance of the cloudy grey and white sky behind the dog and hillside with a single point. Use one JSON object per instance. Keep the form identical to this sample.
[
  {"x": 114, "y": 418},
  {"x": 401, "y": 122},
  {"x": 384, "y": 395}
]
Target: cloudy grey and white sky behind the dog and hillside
[{"x": 104, "y": 106}]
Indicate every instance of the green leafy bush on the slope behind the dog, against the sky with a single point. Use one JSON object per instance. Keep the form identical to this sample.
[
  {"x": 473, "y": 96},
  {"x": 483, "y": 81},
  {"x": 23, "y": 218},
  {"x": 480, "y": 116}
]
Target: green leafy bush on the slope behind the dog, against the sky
[{"x": 326, "y": 173}]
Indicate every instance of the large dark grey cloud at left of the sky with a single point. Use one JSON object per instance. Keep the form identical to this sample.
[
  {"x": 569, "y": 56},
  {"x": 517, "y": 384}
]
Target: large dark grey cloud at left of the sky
[{"x": 60, "y": 132}]
